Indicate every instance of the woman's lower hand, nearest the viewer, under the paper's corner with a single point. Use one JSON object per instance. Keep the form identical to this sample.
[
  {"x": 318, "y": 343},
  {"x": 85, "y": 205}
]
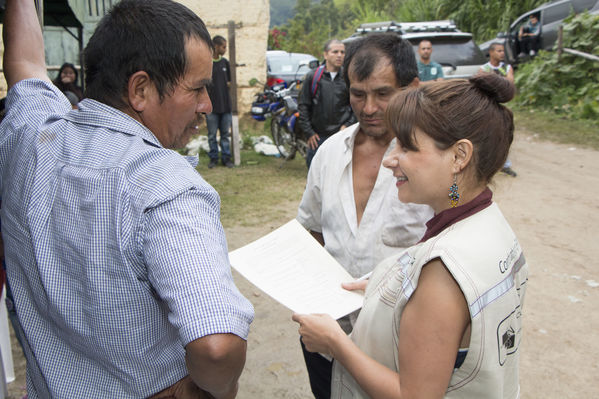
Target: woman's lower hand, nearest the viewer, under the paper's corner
[{"x": 319, "y": 332}]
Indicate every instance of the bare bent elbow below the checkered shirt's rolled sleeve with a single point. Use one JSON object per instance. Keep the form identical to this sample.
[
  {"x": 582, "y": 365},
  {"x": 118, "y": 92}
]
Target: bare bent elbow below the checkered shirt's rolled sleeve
[{"x": 215, "y": 363}]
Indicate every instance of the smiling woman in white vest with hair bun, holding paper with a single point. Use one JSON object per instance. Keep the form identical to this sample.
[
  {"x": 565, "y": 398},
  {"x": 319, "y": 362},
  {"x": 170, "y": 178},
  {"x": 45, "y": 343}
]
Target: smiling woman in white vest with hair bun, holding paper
[{"x": 443, "y": 318}]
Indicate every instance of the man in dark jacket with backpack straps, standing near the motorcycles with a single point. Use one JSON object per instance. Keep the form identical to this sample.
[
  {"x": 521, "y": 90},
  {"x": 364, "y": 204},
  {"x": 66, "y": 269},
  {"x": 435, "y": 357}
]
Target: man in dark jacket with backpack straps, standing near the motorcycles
[{"x": 324, "y": 99}]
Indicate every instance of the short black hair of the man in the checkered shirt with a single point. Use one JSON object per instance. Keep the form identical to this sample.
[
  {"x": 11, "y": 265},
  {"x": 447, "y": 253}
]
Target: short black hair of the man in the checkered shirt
[{"x": 140, "y": 35}]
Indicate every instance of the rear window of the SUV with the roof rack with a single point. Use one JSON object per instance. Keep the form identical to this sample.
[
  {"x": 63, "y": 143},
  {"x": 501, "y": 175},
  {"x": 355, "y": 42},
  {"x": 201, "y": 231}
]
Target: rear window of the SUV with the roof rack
[{"x": 453, "y": 51}]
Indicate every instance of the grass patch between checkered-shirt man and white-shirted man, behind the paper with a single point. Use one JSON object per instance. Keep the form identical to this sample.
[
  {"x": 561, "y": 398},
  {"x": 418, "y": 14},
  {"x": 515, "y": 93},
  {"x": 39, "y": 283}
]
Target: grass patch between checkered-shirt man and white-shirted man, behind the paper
[{"x": 253, "y": 192}]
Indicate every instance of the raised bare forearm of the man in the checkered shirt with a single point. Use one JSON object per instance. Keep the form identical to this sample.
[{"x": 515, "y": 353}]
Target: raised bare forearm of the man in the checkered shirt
[{"x": 23, "y": 43}]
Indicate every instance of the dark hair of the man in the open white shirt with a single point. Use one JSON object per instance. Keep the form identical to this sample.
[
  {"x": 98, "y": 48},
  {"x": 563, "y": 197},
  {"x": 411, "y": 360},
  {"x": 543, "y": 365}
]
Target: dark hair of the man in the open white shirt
[{"x": 365, "y": 53}]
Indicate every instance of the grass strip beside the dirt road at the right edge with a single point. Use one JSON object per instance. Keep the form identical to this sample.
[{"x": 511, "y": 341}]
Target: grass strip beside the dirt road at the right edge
[{"x": 552, "y": 127}]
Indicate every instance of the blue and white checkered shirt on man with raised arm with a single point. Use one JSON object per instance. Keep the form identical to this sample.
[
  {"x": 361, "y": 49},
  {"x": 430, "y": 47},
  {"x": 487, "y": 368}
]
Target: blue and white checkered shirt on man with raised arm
[{"x": 115, "y": 252}]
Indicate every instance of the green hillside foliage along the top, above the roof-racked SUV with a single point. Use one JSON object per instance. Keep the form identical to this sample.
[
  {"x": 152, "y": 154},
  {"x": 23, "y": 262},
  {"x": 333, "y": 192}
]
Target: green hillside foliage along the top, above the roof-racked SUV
[{"x": 315, "y": 21}]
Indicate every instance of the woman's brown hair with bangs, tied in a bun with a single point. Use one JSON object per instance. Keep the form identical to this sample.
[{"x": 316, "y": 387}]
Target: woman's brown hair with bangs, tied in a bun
[{"x": 452, "y": 110}]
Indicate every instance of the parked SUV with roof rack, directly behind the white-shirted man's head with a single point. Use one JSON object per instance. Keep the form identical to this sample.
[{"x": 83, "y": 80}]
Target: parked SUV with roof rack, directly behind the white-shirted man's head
[{"x": 453, "y": 49}]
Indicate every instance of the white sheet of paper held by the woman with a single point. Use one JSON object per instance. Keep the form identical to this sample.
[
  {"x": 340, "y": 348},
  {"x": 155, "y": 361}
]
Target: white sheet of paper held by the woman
[{"x": 293, "y": 268}]
